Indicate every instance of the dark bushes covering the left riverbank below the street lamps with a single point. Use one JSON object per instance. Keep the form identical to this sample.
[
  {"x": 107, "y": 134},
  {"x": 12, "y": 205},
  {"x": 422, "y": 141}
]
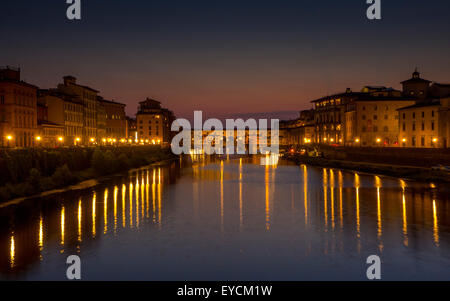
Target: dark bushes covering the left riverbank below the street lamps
[{"x": 30, "y": 171}]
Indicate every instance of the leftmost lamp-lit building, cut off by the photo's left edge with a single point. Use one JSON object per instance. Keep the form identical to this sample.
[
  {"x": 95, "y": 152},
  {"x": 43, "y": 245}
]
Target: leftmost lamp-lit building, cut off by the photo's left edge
[{"x": 18, "y": 110}]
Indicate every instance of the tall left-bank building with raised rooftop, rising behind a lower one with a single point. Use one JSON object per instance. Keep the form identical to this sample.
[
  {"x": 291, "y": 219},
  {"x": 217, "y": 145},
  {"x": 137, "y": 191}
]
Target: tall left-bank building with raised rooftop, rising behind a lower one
[{"x": 88, "y": 97}]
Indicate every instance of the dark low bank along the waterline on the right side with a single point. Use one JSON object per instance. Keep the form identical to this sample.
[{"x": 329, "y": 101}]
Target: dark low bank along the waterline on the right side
[{"x": 424, "y": 174}]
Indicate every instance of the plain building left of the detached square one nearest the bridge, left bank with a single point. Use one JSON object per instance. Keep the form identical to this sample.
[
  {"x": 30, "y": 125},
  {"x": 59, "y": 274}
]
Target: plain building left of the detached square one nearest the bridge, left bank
[{"x": 115, "y": 119}]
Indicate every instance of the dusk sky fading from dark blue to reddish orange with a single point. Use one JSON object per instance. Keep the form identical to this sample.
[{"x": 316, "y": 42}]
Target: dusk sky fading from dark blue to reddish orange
[{"x": 225, "y": 57}]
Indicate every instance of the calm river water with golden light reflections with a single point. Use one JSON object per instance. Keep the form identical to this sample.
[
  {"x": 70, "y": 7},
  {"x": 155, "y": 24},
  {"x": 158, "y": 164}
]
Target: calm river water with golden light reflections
[{"x": 204, "y": 218}]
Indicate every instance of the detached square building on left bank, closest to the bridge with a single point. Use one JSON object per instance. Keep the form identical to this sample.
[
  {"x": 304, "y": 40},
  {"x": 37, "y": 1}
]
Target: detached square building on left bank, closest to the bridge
[{"x": 154, "y": 122}]
